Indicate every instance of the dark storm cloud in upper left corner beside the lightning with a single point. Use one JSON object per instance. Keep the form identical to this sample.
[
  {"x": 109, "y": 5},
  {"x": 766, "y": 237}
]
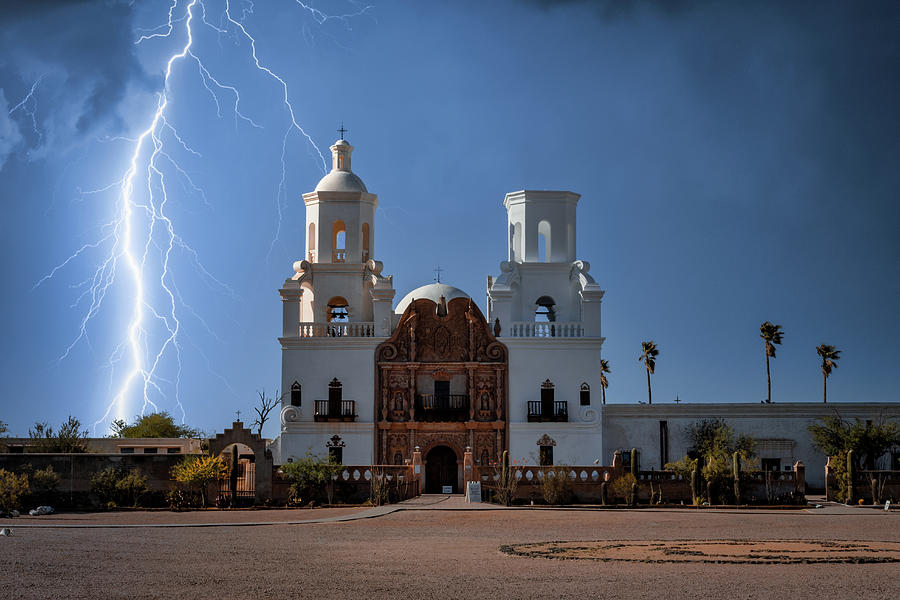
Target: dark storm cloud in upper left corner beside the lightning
[{"x": 85, "y": 51}]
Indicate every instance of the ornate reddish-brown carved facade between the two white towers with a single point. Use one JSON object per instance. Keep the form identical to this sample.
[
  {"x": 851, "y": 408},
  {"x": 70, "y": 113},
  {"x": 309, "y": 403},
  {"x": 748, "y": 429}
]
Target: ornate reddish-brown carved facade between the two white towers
[{"x": 441, "y": 380}]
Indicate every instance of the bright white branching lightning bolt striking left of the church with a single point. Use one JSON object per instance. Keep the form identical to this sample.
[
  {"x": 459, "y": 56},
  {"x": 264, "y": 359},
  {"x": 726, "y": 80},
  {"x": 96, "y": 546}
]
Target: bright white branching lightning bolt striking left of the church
[{"x": 141, "y": 227}]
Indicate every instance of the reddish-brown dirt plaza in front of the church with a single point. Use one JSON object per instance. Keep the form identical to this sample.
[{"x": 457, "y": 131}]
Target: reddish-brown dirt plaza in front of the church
[{"x": 435, "y": 547}]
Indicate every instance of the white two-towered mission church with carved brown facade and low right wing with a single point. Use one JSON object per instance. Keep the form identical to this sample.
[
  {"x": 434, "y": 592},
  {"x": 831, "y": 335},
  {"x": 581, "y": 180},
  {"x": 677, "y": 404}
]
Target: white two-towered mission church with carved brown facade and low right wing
[{"x": 372, "y": 381}]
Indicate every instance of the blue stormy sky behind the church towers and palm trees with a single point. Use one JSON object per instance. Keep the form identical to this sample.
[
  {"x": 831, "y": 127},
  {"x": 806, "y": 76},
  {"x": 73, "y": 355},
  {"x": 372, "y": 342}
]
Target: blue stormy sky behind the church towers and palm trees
[{"x": 738, "y": 162}]
